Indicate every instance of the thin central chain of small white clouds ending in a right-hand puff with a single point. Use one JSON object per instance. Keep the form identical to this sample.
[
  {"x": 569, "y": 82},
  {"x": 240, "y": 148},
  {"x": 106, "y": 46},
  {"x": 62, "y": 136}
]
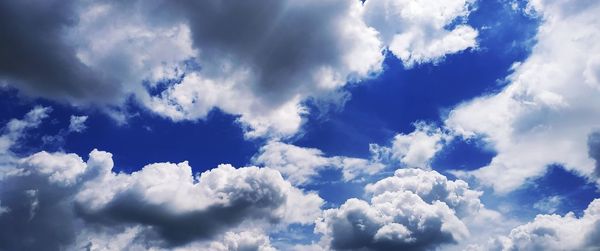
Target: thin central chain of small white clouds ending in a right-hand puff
[{"x": 300, "y": 165}]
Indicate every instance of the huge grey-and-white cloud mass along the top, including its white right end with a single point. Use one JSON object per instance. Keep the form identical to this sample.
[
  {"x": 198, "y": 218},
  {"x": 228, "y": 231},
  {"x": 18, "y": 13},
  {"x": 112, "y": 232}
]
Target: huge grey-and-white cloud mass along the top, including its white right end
[{"x": 257, "y": 60}]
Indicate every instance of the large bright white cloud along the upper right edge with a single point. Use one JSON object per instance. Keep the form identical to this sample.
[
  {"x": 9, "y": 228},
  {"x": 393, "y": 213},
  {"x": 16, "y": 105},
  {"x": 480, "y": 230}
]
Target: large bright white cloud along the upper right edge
[{"x": 543, "y": 116}]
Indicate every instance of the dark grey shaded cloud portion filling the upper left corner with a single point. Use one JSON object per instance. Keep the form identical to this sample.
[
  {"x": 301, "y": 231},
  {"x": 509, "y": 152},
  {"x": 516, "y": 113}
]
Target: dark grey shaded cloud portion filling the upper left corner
[{"x": 35, "y": 57}]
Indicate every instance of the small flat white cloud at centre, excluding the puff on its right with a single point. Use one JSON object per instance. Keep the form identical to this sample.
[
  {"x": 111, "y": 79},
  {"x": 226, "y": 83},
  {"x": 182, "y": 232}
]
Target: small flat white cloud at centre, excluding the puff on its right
[{"x": 300, "y": 165}]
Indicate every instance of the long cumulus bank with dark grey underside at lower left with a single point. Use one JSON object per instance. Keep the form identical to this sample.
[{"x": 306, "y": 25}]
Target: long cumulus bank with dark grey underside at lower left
[{"x": 58, "y": 201}]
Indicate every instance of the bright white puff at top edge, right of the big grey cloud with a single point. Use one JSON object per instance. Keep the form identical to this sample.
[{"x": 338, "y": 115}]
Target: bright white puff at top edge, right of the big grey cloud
[{"x": 417, "y": 31}]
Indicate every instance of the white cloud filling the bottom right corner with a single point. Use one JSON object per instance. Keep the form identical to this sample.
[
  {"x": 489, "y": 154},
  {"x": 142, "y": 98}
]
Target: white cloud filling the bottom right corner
[{"x": 554, "y": 232}]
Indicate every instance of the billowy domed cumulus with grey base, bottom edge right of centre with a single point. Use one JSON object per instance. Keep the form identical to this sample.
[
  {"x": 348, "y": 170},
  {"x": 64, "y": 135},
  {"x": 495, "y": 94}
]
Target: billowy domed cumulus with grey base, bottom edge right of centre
[{"x": 413, "y": 210}]
